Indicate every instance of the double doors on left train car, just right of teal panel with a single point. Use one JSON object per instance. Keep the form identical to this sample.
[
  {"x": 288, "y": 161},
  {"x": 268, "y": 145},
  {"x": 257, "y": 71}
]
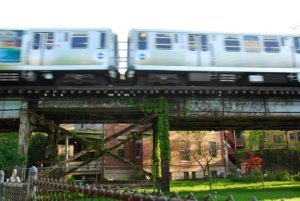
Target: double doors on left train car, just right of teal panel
[{"x": 41, "y": 48}]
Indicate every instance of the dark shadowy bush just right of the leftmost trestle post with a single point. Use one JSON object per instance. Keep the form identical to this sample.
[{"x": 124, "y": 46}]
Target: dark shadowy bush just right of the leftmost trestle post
[{"x": 37, "y": 149}]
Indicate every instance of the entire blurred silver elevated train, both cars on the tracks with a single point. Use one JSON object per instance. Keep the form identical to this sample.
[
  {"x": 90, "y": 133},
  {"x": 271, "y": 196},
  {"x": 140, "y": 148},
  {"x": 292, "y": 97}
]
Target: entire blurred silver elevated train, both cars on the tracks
[{"x": 155, "y": 57}]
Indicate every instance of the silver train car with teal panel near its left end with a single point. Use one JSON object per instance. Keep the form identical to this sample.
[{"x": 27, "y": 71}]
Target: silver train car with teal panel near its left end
[{"x": 60, "y": 56}]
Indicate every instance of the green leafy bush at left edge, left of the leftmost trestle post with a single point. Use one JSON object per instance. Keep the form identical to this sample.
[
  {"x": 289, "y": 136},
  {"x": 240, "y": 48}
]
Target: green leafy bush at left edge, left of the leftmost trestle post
[{"x": 9, "y": 156}]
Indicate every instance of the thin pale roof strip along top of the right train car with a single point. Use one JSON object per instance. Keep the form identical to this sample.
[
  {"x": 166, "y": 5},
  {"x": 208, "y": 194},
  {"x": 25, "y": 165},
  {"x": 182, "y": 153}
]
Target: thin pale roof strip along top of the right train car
[{"x": 212, "y": 32}]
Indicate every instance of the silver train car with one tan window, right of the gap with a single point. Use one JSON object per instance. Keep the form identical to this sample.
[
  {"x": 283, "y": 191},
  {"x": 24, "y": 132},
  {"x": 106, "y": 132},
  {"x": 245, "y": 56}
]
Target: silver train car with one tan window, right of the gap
[{"x": 179, "y": 57}]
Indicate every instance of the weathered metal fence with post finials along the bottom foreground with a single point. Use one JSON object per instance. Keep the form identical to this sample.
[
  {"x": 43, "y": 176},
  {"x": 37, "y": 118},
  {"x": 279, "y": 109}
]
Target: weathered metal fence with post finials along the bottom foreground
[{"x": 45, "y": 189}]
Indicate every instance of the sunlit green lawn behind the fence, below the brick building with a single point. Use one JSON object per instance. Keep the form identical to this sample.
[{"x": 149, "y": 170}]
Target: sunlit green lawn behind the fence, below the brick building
[{"x": 274, "y": 190}]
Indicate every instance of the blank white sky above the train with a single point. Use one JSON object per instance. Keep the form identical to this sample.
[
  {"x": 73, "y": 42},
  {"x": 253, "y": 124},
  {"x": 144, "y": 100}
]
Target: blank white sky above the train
[{"x": 255, "y": 16}]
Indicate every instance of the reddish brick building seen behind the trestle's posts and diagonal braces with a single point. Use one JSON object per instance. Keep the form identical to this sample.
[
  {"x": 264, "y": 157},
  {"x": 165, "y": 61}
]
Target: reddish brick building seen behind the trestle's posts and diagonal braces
[{"x": 135, "y": 154}]
